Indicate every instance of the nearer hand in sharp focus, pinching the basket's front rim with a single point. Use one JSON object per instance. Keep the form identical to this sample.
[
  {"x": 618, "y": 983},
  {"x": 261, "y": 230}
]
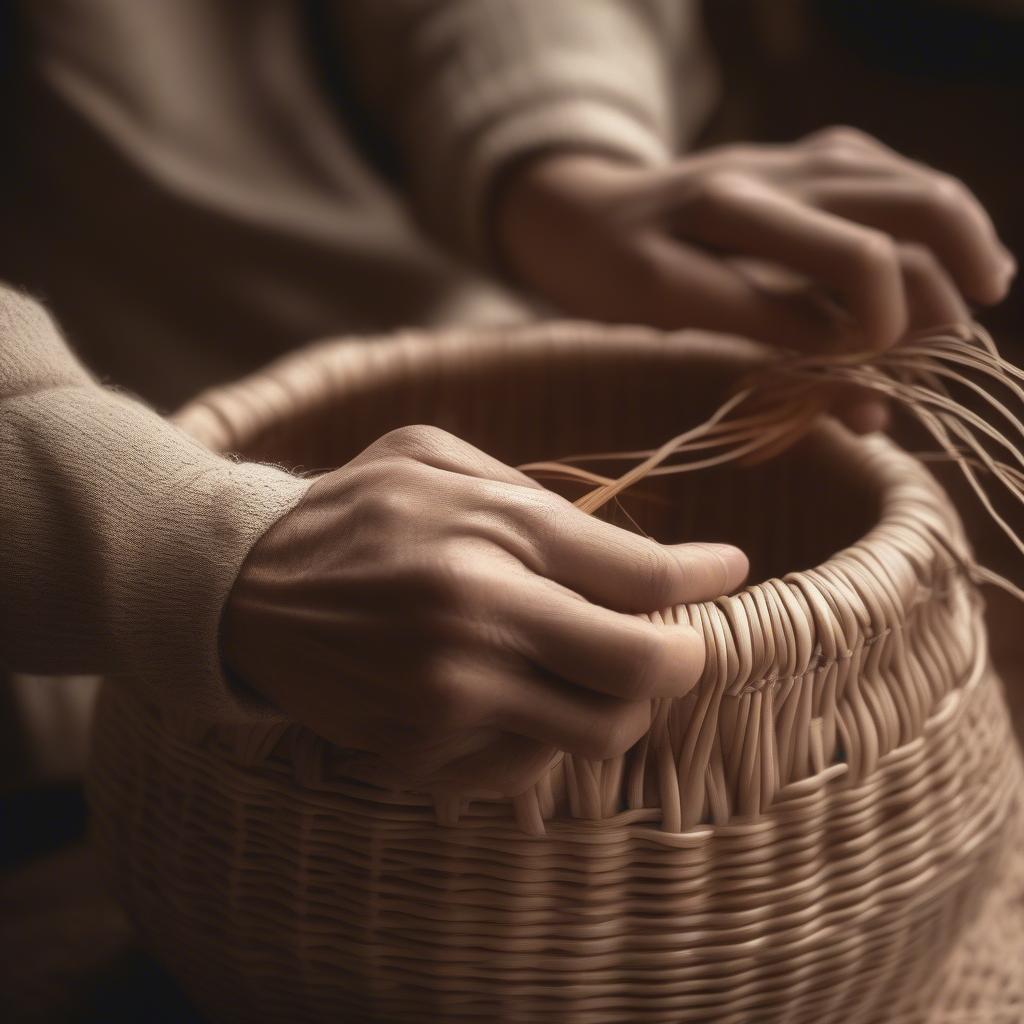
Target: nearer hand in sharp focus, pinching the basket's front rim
[{"x": 446, "y": 616}]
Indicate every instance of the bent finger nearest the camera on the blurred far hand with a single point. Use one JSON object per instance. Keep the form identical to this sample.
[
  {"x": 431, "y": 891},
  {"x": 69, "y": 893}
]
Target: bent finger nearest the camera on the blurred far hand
[{"x": 738, "y": 215}]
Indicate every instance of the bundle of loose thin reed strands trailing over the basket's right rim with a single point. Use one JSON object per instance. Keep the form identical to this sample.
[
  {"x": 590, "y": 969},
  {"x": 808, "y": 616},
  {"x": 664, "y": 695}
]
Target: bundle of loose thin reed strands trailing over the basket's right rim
[{"x": 788, "y": 395}]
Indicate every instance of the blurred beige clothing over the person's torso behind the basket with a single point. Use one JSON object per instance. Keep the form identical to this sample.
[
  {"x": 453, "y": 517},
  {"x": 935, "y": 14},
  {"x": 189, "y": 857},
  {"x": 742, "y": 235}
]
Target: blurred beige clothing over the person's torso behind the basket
[{"x": 190, "y": 201}]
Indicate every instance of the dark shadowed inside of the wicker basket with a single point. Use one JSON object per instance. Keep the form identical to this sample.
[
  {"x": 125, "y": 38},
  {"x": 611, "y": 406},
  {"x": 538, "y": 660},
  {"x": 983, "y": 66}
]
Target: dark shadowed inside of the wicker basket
[{"x": 790, "y": 514}]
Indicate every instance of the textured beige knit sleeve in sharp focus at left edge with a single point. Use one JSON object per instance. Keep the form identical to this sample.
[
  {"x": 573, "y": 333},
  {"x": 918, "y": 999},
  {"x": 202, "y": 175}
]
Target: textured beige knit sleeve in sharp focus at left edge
[{"x": 120, "y": 537}]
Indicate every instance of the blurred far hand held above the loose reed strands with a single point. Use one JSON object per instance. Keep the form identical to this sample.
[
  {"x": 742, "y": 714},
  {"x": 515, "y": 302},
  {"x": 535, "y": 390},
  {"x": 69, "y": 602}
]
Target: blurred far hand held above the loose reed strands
[{"x": 834, "y": 241}]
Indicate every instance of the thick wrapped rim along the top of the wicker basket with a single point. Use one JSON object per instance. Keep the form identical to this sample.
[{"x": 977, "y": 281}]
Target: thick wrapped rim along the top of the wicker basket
[{"x": 826, "y": 611}]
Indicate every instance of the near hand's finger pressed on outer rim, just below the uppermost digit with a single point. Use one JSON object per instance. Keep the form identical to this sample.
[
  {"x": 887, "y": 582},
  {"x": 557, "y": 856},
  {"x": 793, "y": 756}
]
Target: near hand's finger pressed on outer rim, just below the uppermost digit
[{"x": 622, "y": 656}]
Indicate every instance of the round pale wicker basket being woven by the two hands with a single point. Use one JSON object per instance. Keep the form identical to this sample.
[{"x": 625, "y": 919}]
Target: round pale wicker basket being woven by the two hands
[{"x": 828, "y": 830}]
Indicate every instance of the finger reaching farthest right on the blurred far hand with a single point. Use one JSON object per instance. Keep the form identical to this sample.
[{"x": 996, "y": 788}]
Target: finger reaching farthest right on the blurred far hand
[{"x": 934, "y": 211}]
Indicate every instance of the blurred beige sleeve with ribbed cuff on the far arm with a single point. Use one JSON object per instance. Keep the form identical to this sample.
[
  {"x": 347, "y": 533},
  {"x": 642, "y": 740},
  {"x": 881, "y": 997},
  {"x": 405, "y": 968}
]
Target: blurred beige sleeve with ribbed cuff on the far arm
[{"x": 464, "y": 89}]
